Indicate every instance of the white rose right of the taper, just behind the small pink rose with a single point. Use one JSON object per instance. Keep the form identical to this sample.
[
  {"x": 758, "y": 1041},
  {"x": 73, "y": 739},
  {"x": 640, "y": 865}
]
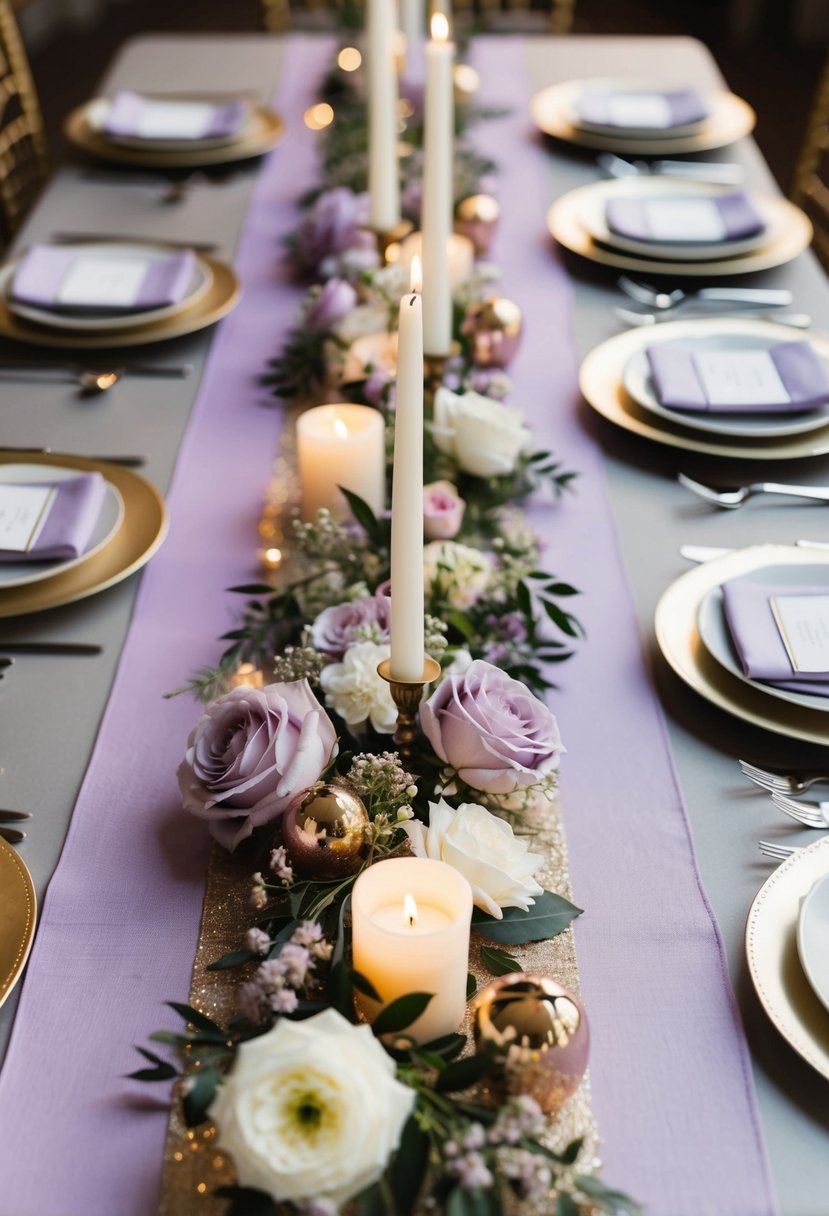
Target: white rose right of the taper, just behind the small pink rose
[{"x": 483, "y": 436}]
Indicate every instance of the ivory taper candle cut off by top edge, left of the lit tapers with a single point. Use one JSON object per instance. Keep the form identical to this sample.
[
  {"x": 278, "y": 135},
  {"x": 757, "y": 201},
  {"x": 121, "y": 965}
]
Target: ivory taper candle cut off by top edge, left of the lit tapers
[{"x": 382, "y": 78}]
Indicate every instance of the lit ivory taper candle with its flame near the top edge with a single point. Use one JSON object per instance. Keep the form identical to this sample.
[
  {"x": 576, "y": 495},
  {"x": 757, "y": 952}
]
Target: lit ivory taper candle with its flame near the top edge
[{"x": 438, "y": 189}]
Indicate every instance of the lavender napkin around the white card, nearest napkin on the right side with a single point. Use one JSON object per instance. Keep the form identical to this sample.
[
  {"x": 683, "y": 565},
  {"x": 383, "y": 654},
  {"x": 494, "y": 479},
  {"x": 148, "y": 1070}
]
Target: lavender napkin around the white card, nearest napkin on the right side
[{"x": 758, "y": 639}]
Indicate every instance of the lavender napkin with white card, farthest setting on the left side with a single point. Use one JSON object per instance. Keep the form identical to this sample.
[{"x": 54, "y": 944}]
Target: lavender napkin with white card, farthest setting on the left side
[{"x": 151, "y": 119}]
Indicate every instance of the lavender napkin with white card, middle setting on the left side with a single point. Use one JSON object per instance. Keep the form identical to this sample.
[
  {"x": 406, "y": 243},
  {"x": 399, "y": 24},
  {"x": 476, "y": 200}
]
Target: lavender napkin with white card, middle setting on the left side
[{"x": 69, "y": 279}]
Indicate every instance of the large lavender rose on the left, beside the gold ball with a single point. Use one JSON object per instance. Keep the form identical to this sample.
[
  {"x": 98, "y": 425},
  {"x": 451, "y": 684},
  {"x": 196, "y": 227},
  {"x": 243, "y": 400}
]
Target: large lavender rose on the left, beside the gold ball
[{"x": 251, "y": 755}]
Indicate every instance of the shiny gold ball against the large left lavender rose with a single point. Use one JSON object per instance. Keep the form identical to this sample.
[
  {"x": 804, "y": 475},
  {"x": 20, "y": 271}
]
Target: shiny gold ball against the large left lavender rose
[{"x": 326, "y": 832}]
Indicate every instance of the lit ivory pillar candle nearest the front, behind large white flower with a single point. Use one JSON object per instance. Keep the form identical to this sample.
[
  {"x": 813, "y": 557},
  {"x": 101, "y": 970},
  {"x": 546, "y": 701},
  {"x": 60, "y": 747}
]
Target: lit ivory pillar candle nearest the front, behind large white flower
[{"x": 428, "y": 955}]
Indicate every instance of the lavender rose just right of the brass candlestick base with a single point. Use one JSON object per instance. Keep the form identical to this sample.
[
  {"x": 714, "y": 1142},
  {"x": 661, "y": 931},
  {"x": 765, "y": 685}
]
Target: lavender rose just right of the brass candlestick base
[{"x": 492, "y": 730}]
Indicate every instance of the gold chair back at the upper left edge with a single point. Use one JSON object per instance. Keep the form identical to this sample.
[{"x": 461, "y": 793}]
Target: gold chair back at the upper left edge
[{"x": 24, "y": 159}]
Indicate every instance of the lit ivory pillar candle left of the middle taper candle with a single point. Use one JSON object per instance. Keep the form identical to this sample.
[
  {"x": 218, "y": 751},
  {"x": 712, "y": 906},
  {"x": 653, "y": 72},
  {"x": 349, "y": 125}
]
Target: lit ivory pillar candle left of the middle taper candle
[{"x": 341, "y": 446}]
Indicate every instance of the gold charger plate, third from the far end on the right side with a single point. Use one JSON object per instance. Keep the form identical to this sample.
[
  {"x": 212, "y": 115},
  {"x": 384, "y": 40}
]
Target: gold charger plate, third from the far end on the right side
[{"x": 601, "y": 382}]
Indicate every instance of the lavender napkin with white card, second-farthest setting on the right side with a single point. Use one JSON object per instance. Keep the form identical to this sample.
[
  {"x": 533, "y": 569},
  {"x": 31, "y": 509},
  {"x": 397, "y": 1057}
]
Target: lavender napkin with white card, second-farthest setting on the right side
[{"x": 686, "y": 219}]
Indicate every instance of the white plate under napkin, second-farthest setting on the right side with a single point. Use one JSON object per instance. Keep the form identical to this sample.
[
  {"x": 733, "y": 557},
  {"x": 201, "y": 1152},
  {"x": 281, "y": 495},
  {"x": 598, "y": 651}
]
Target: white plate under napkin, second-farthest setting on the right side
[{"x": 595, "y": 201}]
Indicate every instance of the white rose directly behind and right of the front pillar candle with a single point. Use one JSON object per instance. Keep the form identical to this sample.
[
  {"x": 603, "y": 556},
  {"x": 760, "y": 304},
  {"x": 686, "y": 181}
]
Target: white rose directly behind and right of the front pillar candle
[{"x": 497, "y": 863}]
